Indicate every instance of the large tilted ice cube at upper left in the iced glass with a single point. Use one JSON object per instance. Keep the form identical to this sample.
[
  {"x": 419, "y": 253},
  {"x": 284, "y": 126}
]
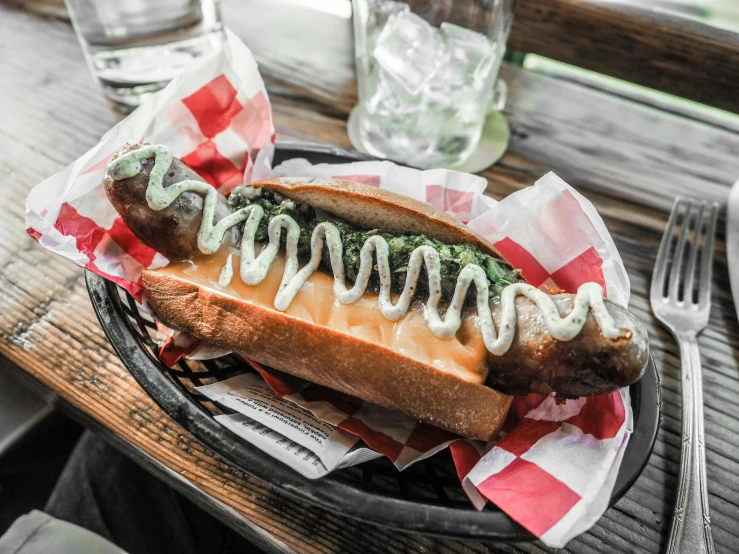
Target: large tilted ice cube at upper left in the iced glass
[{"x": 410, "y": 50}]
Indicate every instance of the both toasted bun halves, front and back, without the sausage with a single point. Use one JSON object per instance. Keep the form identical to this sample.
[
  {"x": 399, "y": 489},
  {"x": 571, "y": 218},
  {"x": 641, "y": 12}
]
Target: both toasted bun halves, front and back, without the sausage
[{"x": 334, "y": 359}]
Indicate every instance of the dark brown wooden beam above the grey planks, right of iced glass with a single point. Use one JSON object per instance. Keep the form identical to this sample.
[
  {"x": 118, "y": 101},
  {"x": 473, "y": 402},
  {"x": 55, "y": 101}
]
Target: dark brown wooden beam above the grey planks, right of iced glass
[{"x": 636, "y": 43}]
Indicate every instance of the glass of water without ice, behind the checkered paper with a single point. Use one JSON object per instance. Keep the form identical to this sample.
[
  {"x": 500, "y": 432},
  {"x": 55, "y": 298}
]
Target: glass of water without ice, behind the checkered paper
[{"x": 135, "y": 47}]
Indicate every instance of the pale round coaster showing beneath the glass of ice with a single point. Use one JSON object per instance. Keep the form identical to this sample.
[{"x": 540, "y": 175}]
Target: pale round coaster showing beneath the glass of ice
[{"x": 493, "y": 142}]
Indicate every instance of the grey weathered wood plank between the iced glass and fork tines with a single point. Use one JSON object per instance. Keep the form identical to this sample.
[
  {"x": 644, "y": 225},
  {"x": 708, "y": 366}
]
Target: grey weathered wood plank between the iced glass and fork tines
[{"x": 561, "y": 131}]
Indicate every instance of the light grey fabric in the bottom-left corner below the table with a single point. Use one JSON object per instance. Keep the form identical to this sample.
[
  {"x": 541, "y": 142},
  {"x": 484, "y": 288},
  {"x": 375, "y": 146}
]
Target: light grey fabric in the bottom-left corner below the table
[{"x": 39, "y": 533}]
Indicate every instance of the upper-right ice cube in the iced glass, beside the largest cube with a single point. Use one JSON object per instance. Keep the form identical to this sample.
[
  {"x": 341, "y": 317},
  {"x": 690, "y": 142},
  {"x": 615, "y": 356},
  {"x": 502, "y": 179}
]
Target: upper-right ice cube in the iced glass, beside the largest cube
[{"x": 472, "y": 55}]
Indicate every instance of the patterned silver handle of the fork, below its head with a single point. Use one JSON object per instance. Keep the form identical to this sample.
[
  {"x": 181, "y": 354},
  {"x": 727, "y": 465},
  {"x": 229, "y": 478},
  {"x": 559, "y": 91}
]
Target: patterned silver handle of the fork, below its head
[{"x": 691, "y": 524}]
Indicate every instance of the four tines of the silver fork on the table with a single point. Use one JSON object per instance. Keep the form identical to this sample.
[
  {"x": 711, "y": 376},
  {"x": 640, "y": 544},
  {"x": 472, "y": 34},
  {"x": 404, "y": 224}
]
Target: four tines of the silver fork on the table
[{"x": 691, "y": 228}]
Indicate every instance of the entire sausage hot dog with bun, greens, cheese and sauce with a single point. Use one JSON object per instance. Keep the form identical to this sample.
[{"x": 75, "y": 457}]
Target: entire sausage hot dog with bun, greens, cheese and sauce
[{"x": 366, "y": 292}]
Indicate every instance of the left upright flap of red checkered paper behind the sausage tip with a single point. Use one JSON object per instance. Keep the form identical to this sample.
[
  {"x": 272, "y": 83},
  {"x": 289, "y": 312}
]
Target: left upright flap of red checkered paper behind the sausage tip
[{"x": 215, "y": 116}]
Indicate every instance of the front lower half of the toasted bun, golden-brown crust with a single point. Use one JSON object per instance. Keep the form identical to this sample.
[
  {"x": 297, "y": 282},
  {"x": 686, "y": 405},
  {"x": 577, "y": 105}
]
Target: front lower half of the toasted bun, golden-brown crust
[{"x": 327, "y": 357}]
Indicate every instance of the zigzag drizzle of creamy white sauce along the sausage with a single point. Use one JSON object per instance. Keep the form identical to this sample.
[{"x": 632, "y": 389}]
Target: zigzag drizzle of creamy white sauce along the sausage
[{"x": 253, "y": 268}]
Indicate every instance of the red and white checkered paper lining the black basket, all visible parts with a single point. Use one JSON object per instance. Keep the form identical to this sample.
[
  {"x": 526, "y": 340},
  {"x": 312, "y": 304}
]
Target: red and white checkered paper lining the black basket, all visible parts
[{"x": 554, "y": 469}]
